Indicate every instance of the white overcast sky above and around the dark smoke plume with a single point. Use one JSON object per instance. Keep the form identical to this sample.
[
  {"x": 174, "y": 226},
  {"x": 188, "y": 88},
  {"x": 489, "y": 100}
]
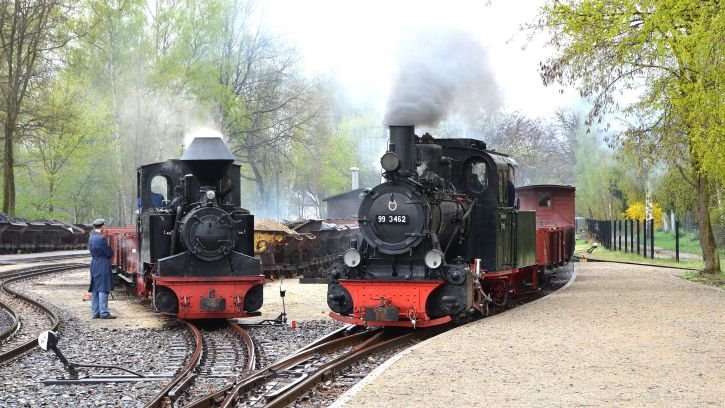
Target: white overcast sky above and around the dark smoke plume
[{"x": 358, "y": 42}]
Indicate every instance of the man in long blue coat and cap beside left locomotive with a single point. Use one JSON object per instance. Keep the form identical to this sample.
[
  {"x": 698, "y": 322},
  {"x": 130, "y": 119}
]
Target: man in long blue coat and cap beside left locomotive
[{"x": 101, "y": 277}]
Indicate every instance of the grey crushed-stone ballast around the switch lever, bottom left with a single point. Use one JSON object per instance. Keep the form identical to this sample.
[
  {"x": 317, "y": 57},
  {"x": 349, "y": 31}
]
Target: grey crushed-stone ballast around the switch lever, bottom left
[{"x": 145, "y": 350}]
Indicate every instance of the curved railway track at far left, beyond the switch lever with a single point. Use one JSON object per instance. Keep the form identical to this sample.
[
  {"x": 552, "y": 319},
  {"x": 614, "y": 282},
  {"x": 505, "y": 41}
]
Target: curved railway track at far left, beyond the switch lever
[{"x": 28, "y": 317}]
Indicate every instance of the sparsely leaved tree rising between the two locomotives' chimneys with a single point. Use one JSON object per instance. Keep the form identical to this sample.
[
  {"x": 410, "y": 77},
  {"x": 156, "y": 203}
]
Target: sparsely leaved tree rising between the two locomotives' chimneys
[{"x": 263, "y": 103}]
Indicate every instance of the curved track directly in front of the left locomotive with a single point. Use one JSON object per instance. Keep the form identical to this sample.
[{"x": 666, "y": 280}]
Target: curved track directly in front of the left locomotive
[{"x": 216, "y": 360}]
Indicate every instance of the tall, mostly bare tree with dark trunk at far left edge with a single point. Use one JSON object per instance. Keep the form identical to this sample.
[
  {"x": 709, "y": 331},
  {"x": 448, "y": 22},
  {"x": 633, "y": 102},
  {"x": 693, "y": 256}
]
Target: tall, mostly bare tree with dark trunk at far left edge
[{"x": 29, "y": 32}]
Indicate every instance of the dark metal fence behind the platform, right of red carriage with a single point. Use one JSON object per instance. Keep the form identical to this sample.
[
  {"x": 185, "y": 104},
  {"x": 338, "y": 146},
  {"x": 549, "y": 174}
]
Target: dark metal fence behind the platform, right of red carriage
[{"x": 628, "y": 236}]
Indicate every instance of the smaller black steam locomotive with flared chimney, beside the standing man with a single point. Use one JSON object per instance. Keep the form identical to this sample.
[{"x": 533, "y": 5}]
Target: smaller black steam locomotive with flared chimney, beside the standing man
[{"x": 192, "y": 248}]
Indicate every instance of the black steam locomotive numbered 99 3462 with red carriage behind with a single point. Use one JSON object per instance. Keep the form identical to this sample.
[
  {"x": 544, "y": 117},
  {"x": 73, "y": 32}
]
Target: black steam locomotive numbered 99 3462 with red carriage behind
[{"x": 444, "y": 237}]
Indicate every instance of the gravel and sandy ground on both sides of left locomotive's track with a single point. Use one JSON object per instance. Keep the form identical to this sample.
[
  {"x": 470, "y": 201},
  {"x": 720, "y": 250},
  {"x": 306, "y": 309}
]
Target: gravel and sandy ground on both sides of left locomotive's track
[{"x": 146, "y": 341}]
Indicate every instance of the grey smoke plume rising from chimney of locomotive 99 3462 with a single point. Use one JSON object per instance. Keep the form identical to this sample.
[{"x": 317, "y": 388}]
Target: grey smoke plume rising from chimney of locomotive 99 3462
[{"x": 442, "y": 72}]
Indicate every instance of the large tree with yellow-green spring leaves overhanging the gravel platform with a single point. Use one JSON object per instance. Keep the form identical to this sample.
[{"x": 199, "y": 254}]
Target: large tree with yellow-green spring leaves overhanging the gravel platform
[{"x": 672, "y": 51}]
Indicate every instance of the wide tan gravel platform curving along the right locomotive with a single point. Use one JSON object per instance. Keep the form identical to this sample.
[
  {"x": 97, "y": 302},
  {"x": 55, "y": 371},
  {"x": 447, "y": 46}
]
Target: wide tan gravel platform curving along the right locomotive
[{"x": 620, "y": 335}]
